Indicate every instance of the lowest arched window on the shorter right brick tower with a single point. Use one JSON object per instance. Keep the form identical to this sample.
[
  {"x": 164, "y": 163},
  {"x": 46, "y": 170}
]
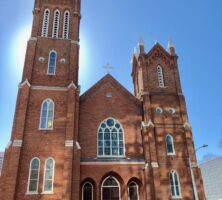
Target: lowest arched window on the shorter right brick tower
[{"x": 175, "y": 184}]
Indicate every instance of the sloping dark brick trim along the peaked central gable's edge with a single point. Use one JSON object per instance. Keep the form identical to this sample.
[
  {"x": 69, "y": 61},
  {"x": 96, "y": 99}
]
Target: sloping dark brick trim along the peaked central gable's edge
[{"x": 108, "y": 79}]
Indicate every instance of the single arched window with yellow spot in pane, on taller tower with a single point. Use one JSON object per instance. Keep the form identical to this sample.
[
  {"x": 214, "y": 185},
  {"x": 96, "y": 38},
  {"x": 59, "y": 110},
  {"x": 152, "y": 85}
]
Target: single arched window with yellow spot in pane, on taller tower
[{"x": 47, "y": 114}]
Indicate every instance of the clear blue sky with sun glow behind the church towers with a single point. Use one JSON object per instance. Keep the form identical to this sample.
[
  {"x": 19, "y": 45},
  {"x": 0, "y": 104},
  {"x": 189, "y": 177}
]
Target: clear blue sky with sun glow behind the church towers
[{"x": 109, "y": 32}]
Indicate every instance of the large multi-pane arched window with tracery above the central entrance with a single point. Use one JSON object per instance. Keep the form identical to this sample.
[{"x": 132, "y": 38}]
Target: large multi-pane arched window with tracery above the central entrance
[{"x": 111, "y": 139}]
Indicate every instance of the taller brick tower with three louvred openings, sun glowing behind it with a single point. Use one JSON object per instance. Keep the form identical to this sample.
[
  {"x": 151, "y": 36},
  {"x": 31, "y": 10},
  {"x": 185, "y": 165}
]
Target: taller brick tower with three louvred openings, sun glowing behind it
[{"x": 46, "y": 117}]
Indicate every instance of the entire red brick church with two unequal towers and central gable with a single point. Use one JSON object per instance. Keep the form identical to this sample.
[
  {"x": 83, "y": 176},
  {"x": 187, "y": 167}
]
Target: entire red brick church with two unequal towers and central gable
[{"x": 106, "y": 144}]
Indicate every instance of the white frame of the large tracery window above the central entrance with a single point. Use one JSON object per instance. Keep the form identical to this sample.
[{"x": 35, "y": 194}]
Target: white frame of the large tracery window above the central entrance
[{"x": 111, "y": 156}]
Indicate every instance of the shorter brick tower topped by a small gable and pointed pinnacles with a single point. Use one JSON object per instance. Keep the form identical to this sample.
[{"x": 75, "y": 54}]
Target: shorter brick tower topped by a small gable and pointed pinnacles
[{"x": 167, "y": 135}]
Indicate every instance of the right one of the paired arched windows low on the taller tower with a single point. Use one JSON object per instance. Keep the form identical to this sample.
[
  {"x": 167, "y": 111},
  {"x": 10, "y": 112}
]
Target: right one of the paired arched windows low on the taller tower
[{"x": 48, "y": 176}]
